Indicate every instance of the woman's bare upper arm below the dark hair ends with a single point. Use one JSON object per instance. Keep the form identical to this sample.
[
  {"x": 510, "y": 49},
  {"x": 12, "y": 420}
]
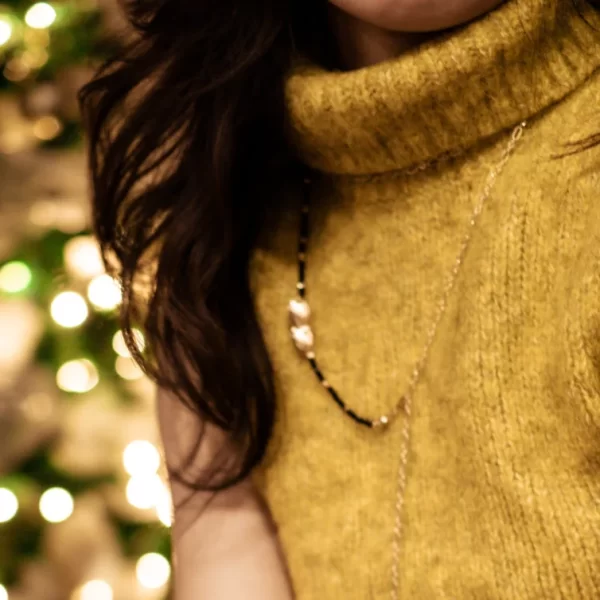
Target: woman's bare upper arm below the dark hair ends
[{"x": 225, "y": 545}]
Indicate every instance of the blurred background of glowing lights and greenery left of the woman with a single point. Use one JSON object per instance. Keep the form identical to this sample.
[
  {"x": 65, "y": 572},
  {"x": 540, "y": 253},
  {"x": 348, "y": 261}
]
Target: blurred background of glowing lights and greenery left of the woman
[{"x": 84, "y": 510}]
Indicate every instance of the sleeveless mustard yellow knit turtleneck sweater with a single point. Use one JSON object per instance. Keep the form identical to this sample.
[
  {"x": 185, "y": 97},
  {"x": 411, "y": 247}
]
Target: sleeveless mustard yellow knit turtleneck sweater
[{"x": 503, "y": 480}]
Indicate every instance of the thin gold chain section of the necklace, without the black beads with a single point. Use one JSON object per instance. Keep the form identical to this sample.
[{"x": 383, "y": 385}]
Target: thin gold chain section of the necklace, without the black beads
[{"x": 405, "y": 404}]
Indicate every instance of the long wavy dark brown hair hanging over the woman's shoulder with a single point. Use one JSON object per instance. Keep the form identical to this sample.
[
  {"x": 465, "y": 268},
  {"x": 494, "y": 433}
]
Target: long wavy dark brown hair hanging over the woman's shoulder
[{"x": 188, "y": 154}]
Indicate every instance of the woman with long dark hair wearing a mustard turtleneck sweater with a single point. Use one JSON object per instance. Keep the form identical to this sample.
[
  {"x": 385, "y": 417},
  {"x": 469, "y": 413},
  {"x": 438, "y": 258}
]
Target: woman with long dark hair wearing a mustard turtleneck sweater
[{"x": 424, "y": 177}]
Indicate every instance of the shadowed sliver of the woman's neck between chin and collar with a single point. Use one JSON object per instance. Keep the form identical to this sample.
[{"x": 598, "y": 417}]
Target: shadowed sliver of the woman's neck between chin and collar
[{"x": 361, "y": 44}]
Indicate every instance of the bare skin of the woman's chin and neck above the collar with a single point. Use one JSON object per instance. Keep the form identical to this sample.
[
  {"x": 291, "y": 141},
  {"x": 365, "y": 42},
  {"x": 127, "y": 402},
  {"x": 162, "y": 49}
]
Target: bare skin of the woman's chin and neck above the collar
[{"x": 371, "y": 31}]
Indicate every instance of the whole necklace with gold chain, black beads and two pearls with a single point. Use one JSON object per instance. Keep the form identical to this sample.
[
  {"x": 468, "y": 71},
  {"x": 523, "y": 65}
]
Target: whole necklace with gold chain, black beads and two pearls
[{"x": 303, "y": 337}]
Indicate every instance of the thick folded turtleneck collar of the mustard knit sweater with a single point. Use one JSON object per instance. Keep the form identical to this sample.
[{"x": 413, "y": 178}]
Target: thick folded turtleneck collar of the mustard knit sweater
[{"x": 447, "y": 94}]
